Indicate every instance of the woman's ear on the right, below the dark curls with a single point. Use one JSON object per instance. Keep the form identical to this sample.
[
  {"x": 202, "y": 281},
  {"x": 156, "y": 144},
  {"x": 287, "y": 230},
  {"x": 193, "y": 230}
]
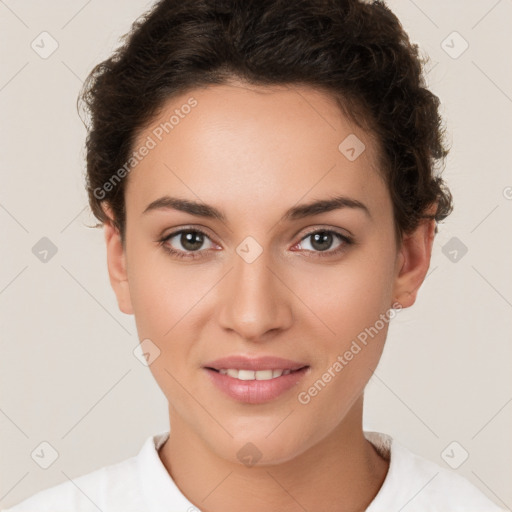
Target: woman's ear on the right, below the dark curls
[{"x": 414, "y": 260}]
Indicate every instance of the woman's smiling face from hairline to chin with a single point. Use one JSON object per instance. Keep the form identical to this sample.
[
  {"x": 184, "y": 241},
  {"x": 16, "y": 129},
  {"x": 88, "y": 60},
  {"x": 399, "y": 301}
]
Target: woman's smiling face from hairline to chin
[{"x": 258, "y": 284}]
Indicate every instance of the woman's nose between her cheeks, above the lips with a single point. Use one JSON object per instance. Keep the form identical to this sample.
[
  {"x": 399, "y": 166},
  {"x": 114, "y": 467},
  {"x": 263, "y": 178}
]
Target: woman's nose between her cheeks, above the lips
[{"x": 255, "y": 301}]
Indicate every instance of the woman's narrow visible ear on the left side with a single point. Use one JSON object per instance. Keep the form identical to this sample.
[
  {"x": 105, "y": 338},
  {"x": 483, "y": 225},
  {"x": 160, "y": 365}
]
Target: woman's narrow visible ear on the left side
[{"x": 116, "y": 262}]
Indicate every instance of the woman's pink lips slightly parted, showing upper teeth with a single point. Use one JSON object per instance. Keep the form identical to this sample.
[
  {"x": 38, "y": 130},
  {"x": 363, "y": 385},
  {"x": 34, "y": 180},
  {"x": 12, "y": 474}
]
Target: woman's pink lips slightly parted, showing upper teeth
[{"x": 255, "y": 380}]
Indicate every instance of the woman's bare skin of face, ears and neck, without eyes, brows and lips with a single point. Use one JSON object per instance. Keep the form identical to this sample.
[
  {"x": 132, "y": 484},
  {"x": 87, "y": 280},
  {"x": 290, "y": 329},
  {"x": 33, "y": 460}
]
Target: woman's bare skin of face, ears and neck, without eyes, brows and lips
[{"x": 253, "y": 152}]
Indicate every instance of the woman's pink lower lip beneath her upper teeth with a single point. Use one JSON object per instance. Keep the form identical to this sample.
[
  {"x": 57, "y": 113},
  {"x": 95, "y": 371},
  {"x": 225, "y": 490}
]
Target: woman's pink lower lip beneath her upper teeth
[{"x": 256, "y": 391}]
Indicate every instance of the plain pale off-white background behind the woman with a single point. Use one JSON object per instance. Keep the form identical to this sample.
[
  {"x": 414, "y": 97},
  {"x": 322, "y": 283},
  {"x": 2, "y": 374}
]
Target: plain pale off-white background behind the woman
[{"x": 68, "y": 374}]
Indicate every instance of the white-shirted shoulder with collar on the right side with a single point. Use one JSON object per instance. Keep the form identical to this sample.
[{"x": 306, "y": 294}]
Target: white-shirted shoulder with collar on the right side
[{"x": 422, "y": 485}]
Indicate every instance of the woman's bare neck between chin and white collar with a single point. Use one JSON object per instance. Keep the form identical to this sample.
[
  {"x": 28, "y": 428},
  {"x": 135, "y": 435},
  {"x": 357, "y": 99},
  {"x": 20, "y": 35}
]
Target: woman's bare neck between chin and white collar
[{"x": 343, "y": 473}]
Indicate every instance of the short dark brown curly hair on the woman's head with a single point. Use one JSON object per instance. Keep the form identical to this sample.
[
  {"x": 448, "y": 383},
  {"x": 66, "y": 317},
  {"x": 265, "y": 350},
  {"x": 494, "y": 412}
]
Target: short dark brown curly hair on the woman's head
[{"x": 356, "y": 51}]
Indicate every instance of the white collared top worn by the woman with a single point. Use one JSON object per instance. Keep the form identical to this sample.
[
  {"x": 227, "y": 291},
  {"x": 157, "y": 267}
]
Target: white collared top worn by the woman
[{"x": 142, "y": 484}]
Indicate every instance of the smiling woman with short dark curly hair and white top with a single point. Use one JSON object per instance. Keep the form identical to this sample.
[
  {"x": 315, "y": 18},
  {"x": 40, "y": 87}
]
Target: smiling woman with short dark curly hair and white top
[{"x": 265, "y": 173}]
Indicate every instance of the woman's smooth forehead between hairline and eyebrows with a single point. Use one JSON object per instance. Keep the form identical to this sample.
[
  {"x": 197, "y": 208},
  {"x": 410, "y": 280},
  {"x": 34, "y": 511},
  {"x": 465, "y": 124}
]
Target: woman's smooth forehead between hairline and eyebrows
[{"x": 248, "y": 143}]
